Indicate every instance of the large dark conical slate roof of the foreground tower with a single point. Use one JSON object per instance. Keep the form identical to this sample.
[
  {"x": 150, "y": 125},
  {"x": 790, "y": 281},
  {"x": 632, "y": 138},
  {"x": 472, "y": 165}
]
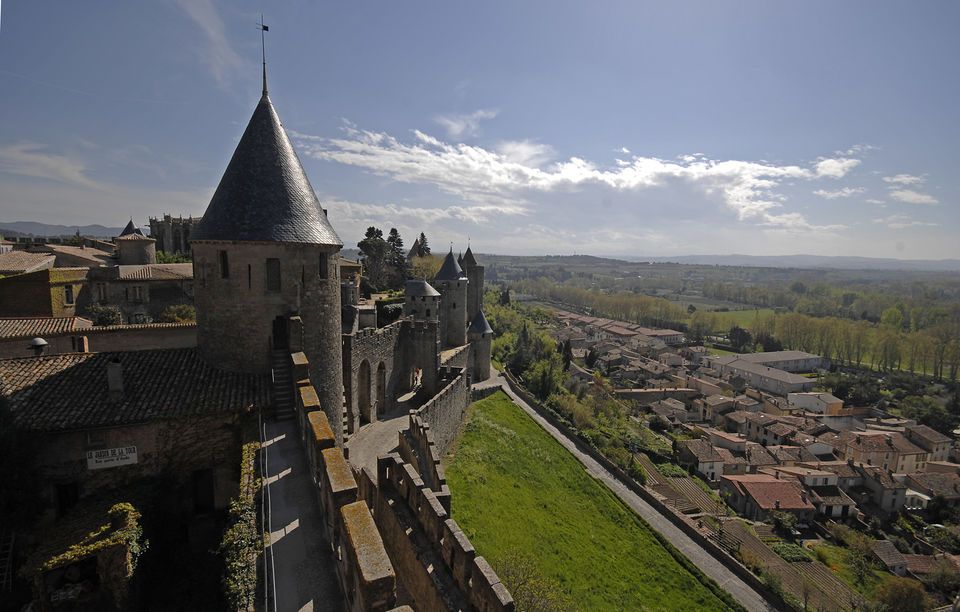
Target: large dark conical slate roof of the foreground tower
[{"x": 264, "y": 194}]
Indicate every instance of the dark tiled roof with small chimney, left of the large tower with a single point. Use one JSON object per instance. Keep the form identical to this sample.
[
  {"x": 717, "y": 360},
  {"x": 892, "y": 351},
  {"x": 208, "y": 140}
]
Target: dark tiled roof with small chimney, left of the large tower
[{"x": 69, "y": 391}]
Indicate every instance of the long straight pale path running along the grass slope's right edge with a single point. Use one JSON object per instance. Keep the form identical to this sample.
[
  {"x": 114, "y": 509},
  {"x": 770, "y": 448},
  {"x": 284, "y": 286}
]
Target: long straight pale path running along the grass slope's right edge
[{"x": 741, "y": 591}]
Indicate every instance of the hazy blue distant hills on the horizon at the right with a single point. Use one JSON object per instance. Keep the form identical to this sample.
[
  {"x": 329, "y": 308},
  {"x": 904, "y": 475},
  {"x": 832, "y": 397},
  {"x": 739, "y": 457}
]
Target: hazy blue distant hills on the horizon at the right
[{"x": 812, "y": 261}]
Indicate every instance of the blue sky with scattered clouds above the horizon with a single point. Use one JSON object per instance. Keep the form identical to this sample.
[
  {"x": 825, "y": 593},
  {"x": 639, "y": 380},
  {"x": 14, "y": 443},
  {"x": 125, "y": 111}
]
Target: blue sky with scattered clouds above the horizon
[{"x": 621, "y": 128}]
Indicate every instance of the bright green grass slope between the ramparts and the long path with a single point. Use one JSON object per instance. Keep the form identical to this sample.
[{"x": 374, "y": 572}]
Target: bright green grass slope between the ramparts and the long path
[{"x": 514, "y": 488}]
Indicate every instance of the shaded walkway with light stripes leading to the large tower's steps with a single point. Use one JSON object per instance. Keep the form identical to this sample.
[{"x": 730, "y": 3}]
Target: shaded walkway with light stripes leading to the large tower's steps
[{"x": 304, "y": 569}]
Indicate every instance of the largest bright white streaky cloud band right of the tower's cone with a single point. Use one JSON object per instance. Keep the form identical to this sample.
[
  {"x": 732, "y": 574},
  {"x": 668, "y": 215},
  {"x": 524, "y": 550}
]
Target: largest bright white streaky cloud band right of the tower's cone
[{"x": 512, "y": 174}]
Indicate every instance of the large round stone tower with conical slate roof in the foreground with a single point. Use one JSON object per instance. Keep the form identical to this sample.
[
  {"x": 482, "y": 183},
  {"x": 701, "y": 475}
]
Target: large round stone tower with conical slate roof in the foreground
[{"x": 264, "y": 252}]
